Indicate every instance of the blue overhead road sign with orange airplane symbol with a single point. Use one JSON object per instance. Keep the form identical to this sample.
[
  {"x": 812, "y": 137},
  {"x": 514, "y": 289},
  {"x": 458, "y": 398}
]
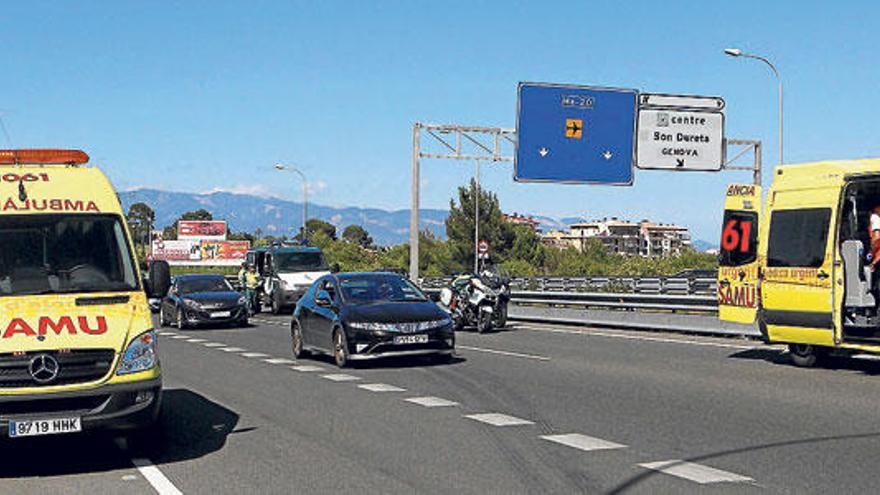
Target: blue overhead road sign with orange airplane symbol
[{"x": 575, "y": 134}]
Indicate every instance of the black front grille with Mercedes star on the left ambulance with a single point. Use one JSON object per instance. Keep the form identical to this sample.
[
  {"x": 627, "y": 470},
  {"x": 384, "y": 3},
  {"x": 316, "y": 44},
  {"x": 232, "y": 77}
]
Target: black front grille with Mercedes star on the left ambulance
[{"x": 75, "y": 366}]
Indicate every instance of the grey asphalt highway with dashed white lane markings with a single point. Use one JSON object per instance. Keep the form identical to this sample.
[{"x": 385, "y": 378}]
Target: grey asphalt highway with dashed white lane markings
[{"x": 527, "y": 410}]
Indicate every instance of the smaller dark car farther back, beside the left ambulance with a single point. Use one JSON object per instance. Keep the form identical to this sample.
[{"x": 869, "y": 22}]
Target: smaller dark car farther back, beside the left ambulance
[{"x": 202, "y": 299}]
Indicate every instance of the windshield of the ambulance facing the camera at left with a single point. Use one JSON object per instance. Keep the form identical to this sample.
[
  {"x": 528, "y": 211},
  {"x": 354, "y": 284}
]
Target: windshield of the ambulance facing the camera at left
[{"x": 43, "y": 254}]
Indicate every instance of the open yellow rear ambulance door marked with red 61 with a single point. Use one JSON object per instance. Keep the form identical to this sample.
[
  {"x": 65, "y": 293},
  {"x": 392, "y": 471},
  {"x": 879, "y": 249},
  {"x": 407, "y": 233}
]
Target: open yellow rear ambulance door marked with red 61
[{"x": 738, "y": 291}]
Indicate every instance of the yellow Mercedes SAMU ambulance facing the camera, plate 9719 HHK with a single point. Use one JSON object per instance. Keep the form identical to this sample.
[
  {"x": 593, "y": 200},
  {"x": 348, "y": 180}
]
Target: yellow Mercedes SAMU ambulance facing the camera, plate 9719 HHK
[{"x": 77, "y": 346}]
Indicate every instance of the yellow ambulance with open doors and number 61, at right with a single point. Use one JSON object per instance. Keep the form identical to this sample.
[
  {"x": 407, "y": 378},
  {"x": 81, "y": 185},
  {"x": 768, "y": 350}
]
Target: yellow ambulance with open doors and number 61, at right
[{"x": 800, "y": 264}]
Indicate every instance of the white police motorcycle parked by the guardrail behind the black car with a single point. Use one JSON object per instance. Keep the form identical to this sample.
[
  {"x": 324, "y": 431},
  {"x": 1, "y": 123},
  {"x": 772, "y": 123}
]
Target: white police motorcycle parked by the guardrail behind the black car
[{"x": 471, "y": 301}]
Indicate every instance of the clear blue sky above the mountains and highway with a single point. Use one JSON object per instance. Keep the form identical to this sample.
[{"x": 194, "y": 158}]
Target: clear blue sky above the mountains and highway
[{"x": 200, "y": 96}]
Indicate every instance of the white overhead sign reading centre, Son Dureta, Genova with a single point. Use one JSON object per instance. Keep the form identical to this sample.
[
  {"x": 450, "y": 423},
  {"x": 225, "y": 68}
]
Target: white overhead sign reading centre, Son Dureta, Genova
[{"x": 688, "y": 136}]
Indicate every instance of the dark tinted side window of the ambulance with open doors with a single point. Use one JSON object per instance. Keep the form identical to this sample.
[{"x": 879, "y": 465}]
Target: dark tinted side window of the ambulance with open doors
[{"x": 797, "y": 237}]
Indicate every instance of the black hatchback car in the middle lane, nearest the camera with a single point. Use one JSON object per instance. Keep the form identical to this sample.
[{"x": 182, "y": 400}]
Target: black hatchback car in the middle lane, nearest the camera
[{"x": 358, "y": 316}]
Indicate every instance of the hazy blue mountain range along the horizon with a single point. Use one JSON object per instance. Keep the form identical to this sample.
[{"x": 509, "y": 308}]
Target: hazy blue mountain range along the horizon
[{"x": 275, "y": 216}]
